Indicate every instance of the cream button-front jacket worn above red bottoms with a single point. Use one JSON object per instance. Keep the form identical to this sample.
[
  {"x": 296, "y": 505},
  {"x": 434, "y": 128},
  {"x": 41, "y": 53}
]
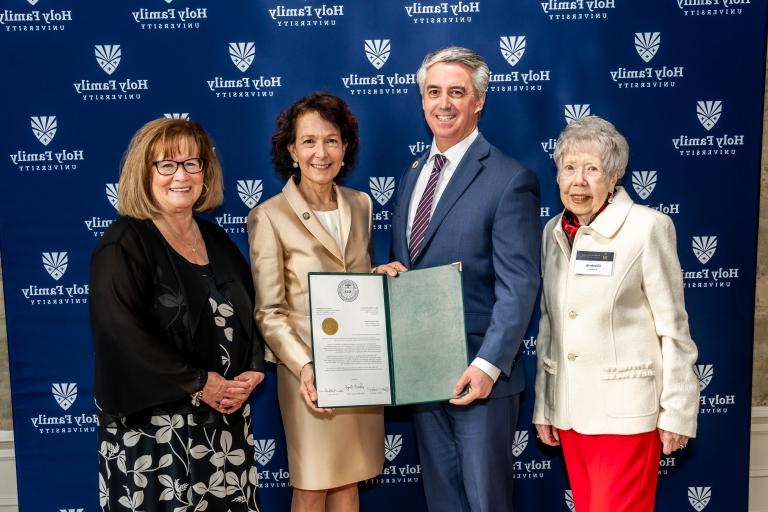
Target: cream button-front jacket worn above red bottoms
[{"x": 615, "y": 355}]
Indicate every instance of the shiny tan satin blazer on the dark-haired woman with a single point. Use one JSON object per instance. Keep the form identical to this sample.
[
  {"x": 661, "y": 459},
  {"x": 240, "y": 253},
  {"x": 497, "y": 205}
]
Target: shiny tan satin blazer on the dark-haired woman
[{"x": 286, "y": 242}]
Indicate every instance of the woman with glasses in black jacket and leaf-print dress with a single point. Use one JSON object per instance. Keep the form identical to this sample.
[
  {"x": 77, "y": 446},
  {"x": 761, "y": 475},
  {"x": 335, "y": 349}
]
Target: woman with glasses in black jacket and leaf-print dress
[{"x": 177, "y": 353}]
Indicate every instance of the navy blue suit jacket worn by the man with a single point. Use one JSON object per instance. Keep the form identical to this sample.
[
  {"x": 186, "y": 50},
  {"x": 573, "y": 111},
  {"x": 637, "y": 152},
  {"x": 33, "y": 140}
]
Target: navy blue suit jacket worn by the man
[{"x": 487, "y": 218}]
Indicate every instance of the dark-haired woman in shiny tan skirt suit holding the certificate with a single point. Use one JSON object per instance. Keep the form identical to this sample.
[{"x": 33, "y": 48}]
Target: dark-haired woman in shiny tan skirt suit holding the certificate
[{"x": 313, "y": 225}]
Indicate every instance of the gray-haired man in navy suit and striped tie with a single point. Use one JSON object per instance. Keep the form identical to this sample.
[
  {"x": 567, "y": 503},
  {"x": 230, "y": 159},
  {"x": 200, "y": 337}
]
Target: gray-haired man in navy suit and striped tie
[{"x": 464, "y": 200}]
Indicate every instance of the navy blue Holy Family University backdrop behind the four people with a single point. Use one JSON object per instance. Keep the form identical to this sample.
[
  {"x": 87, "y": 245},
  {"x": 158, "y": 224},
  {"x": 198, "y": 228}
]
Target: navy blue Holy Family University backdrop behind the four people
[{"x": 682, "y": 79}]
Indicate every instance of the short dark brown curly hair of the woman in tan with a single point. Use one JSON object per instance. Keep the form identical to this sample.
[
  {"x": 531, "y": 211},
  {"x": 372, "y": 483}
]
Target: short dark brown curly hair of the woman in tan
[{"x": 329, "y": 107}]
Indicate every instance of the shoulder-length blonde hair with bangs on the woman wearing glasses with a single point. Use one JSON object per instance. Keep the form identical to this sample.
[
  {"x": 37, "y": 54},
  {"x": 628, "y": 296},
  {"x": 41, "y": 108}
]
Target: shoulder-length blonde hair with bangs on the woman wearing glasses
[{"x": 164, "y": 137}]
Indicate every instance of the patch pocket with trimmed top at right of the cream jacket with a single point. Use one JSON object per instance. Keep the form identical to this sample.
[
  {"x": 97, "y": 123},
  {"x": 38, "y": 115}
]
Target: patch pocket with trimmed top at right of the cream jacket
[{"x": 630, "y": 391}]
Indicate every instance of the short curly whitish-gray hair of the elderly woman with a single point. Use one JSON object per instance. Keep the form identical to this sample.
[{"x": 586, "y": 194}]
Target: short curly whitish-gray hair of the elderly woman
[{"x": 595, "y": 132}]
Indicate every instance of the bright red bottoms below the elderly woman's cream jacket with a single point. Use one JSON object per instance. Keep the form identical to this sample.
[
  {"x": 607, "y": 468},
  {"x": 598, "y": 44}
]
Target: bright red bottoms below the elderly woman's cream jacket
[{"x": 612, "y": 473}]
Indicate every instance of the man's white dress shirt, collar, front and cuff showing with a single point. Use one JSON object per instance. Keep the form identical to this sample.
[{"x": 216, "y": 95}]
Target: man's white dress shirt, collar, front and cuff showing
[{"x": 453, "y": 156}]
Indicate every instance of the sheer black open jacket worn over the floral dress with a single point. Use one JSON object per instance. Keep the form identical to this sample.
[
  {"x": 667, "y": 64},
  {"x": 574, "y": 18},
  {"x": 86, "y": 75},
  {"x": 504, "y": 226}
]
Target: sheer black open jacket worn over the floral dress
[{"x": 145, "y": 313}]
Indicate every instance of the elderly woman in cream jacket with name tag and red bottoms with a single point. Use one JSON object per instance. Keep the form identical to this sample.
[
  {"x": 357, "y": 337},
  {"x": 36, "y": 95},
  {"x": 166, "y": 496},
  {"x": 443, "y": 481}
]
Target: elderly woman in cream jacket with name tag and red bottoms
[{"x": 615, "y": 382}]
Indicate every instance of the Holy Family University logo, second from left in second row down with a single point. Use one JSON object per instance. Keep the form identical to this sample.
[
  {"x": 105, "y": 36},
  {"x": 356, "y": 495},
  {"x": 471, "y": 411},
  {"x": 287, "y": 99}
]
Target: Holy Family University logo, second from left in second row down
[{"x": 242, "y": 55}]
